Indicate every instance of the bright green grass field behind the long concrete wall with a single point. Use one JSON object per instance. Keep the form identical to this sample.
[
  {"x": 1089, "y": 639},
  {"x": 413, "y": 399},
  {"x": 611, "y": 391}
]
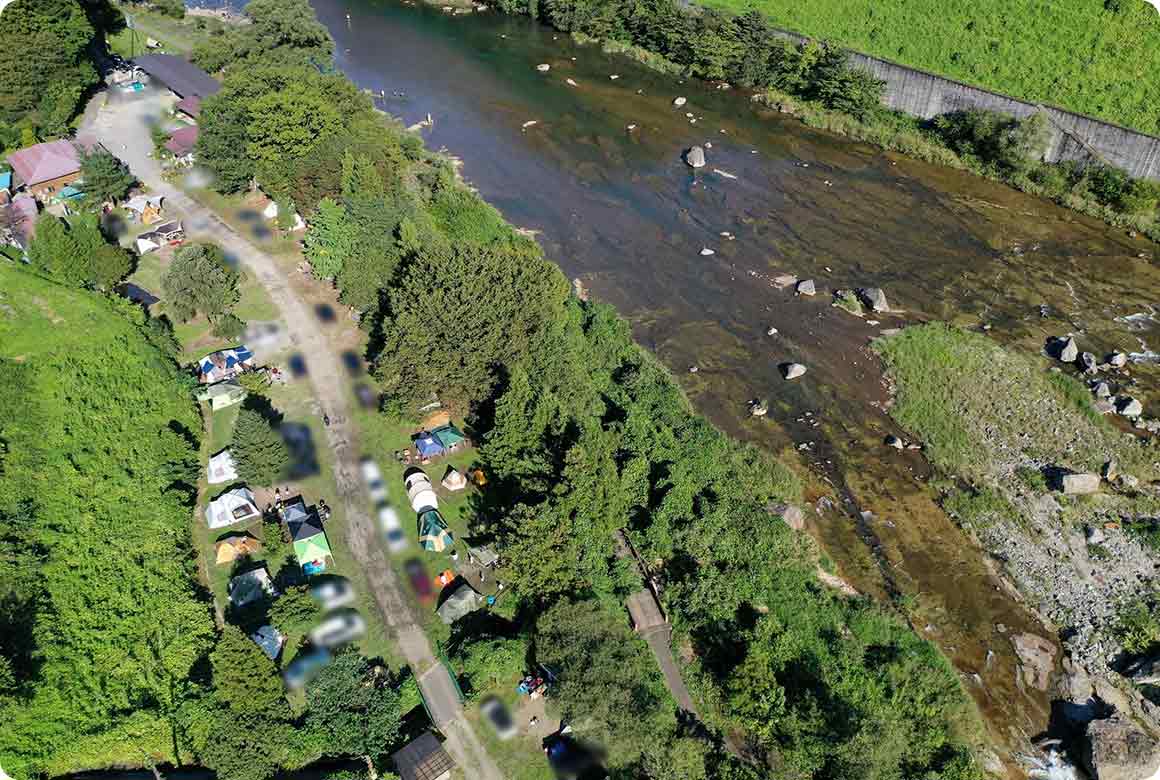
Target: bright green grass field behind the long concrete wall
[{"x": 1072, "y": 54}]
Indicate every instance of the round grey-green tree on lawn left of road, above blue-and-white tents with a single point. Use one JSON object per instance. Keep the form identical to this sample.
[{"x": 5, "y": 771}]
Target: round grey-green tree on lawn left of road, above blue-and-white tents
[{"x": 199, "y": 281}]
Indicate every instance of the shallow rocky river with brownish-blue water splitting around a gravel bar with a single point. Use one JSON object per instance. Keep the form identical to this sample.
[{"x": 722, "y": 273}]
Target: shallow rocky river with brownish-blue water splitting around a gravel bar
[{"x": 619, "y": 210}]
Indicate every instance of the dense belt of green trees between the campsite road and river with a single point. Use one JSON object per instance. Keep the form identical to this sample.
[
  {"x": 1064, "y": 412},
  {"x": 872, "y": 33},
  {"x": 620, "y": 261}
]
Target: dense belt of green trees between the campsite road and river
[{"x": 584, "y": 434}]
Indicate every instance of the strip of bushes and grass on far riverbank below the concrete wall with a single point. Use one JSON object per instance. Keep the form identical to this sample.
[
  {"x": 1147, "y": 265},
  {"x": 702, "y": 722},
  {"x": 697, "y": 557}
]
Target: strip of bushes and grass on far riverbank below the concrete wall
[{"x": 815, "y": 83}]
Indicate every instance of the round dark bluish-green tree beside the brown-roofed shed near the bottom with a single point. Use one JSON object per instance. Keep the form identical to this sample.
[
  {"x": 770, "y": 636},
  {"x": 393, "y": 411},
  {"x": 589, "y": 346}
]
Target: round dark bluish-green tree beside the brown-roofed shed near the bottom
[{"x": 353, "y": 705}]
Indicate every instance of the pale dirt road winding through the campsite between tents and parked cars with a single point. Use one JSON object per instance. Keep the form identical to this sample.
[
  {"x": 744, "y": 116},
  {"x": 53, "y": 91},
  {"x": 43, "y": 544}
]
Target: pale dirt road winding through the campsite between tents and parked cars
[{"x": 124, "y": 127}]
